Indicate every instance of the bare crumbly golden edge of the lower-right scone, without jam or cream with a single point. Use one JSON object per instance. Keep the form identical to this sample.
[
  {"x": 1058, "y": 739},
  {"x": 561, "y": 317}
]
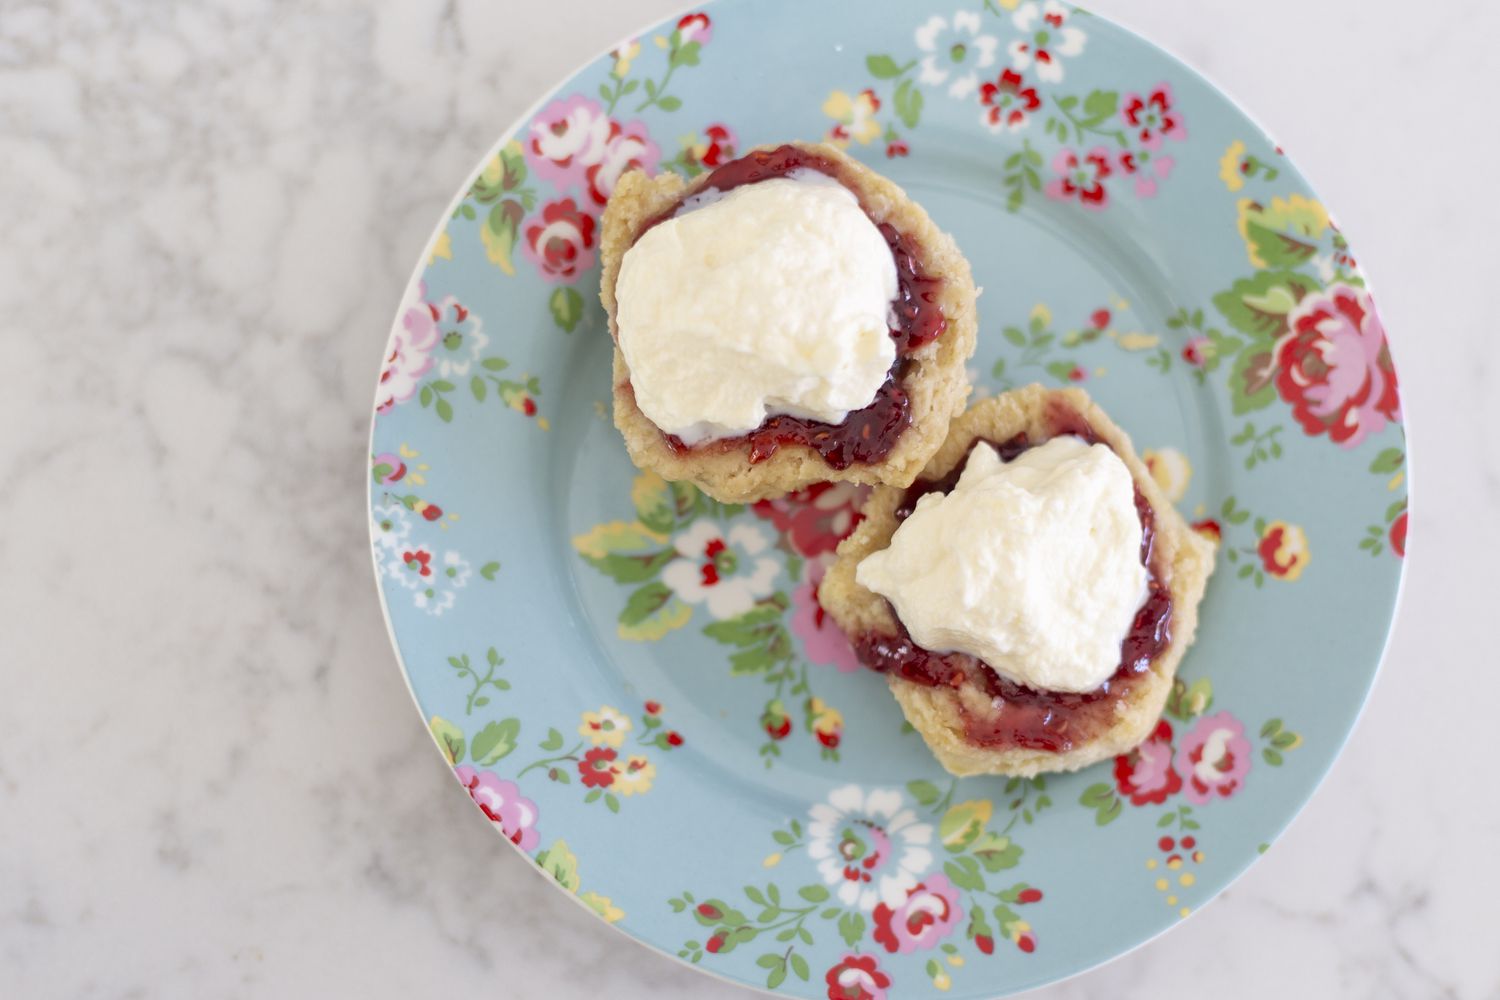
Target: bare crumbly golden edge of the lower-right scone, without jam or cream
[{"x": 1183, "y": 555}]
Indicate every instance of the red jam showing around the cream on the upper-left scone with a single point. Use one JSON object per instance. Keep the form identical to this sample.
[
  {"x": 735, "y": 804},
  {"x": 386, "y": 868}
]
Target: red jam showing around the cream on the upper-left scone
[{"x": 866, "y": 436}]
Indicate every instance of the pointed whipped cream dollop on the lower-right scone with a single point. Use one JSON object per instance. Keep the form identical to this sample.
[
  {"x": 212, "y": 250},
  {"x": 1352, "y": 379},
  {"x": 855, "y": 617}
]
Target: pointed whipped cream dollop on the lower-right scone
[{"x": 1033, "y": 566}]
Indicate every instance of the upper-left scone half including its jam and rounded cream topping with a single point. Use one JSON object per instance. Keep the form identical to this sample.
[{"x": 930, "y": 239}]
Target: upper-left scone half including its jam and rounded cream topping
[{"x": 785, "y": 320}]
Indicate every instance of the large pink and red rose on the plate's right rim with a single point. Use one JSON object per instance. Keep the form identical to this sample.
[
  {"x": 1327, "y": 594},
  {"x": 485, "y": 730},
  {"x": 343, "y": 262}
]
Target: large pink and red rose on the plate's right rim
[{"x": 1334, "y": 367}]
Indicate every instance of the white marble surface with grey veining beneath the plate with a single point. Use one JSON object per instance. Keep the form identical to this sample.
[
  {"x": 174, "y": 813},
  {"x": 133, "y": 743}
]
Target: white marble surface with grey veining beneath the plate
[{"x": 208, "y": 218}]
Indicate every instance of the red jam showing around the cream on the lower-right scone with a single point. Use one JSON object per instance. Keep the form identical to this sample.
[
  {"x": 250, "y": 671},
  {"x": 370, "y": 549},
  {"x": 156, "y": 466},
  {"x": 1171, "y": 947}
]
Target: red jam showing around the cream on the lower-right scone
[{"x": 1021, "y": 716}]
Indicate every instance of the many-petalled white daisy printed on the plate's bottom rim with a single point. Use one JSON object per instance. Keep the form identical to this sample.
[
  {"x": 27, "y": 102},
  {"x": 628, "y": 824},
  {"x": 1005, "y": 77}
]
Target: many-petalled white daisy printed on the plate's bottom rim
[{"x": 869, "y": 845}]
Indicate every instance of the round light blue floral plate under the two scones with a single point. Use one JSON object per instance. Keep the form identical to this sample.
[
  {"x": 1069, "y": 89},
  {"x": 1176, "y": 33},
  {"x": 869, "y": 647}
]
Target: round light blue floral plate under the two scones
[{"x": 637, "y": 684}]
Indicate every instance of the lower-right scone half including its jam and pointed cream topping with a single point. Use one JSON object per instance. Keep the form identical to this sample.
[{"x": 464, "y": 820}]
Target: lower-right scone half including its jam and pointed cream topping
[{"x": 1042, "y": 710}]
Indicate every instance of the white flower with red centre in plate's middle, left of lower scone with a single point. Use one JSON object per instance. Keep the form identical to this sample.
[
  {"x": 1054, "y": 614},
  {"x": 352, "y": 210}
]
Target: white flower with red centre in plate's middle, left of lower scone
[{"x": 727, "y": 570}]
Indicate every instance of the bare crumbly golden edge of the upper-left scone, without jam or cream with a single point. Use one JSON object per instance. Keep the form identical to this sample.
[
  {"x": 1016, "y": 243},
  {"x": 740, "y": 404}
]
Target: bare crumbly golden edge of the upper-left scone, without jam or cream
[{"x": 937, "y": 382}]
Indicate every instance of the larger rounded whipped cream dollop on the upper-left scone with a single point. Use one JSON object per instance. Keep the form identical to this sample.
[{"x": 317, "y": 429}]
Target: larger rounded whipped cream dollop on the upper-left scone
[{"x": 769, "y": 299}]
